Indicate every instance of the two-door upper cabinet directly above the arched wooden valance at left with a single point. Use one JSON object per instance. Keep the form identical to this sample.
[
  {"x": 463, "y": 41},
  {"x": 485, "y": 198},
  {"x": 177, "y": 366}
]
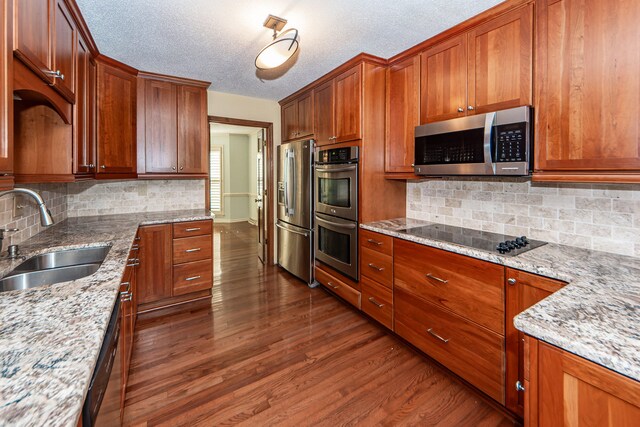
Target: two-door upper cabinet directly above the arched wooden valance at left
[{"x": 45, "y": 40}]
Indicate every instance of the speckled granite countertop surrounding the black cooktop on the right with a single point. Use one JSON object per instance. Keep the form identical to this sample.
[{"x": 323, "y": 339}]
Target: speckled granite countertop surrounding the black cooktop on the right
[{"x": 596, "y": 316}]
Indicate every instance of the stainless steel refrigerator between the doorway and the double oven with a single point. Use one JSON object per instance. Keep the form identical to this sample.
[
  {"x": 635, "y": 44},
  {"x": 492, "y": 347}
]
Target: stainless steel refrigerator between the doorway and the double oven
[{"x": 295, "y": 208}]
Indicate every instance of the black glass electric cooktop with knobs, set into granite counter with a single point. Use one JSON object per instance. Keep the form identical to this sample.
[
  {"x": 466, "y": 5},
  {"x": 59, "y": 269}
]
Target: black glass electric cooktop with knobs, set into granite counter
[{"x": 483, "y": 240}]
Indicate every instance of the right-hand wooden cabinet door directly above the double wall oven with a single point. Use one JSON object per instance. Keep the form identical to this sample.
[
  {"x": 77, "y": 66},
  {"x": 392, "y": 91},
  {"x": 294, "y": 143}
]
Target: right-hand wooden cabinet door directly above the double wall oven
[{"x": 348, "y": 105}]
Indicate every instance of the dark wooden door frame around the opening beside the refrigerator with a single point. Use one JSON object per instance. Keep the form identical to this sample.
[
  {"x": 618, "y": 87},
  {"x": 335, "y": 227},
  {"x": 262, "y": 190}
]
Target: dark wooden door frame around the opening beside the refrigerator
[{"x": 270, "y": 218}]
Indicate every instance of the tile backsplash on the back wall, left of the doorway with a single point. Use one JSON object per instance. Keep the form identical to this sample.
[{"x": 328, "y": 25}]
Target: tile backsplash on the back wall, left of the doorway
[{"x": 116, "y": 197}]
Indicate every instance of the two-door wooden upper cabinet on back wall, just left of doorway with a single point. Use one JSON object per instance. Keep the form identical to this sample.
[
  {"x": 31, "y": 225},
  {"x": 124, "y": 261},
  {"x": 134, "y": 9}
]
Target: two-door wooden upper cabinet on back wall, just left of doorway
[{"x": 172, "y": 126}]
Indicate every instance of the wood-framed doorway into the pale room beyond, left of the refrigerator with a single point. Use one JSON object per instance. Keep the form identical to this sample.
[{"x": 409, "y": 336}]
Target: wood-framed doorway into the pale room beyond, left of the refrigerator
[{"x": 241, "y": 191}]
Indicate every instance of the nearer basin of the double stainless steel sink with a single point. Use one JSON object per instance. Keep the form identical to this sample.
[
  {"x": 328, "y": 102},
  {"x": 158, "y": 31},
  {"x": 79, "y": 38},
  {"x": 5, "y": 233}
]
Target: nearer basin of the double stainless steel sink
[{"x": 33, "y": 279}]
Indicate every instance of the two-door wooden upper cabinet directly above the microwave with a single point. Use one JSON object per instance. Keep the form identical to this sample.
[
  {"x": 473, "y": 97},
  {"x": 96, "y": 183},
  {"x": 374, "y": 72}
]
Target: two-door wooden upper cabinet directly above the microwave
[{"x": 487, "y": 68}]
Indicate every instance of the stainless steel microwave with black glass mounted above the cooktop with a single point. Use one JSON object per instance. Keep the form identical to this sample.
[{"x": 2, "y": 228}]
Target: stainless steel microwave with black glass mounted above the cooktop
[{"x": 496, "y": 143}]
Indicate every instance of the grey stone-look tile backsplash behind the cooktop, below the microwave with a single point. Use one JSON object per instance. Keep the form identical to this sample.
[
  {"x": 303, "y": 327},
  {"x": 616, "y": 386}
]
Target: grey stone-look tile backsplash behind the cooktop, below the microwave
[{"x": 593, "y": 216}]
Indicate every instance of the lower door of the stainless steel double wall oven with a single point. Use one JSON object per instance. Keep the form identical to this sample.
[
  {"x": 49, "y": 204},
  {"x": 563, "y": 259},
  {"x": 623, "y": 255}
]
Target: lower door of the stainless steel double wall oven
[{"x": 337, "y": 244}]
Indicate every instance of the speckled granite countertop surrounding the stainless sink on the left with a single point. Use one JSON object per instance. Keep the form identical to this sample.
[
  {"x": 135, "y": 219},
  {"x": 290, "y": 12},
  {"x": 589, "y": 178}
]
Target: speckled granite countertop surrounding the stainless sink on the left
[{"x": 50, "y": 336}]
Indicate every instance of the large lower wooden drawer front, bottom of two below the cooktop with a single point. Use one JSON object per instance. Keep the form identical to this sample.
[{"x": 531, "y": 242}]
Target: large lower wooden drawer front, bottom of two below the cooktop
[{"x": 473, "y": 352}]
